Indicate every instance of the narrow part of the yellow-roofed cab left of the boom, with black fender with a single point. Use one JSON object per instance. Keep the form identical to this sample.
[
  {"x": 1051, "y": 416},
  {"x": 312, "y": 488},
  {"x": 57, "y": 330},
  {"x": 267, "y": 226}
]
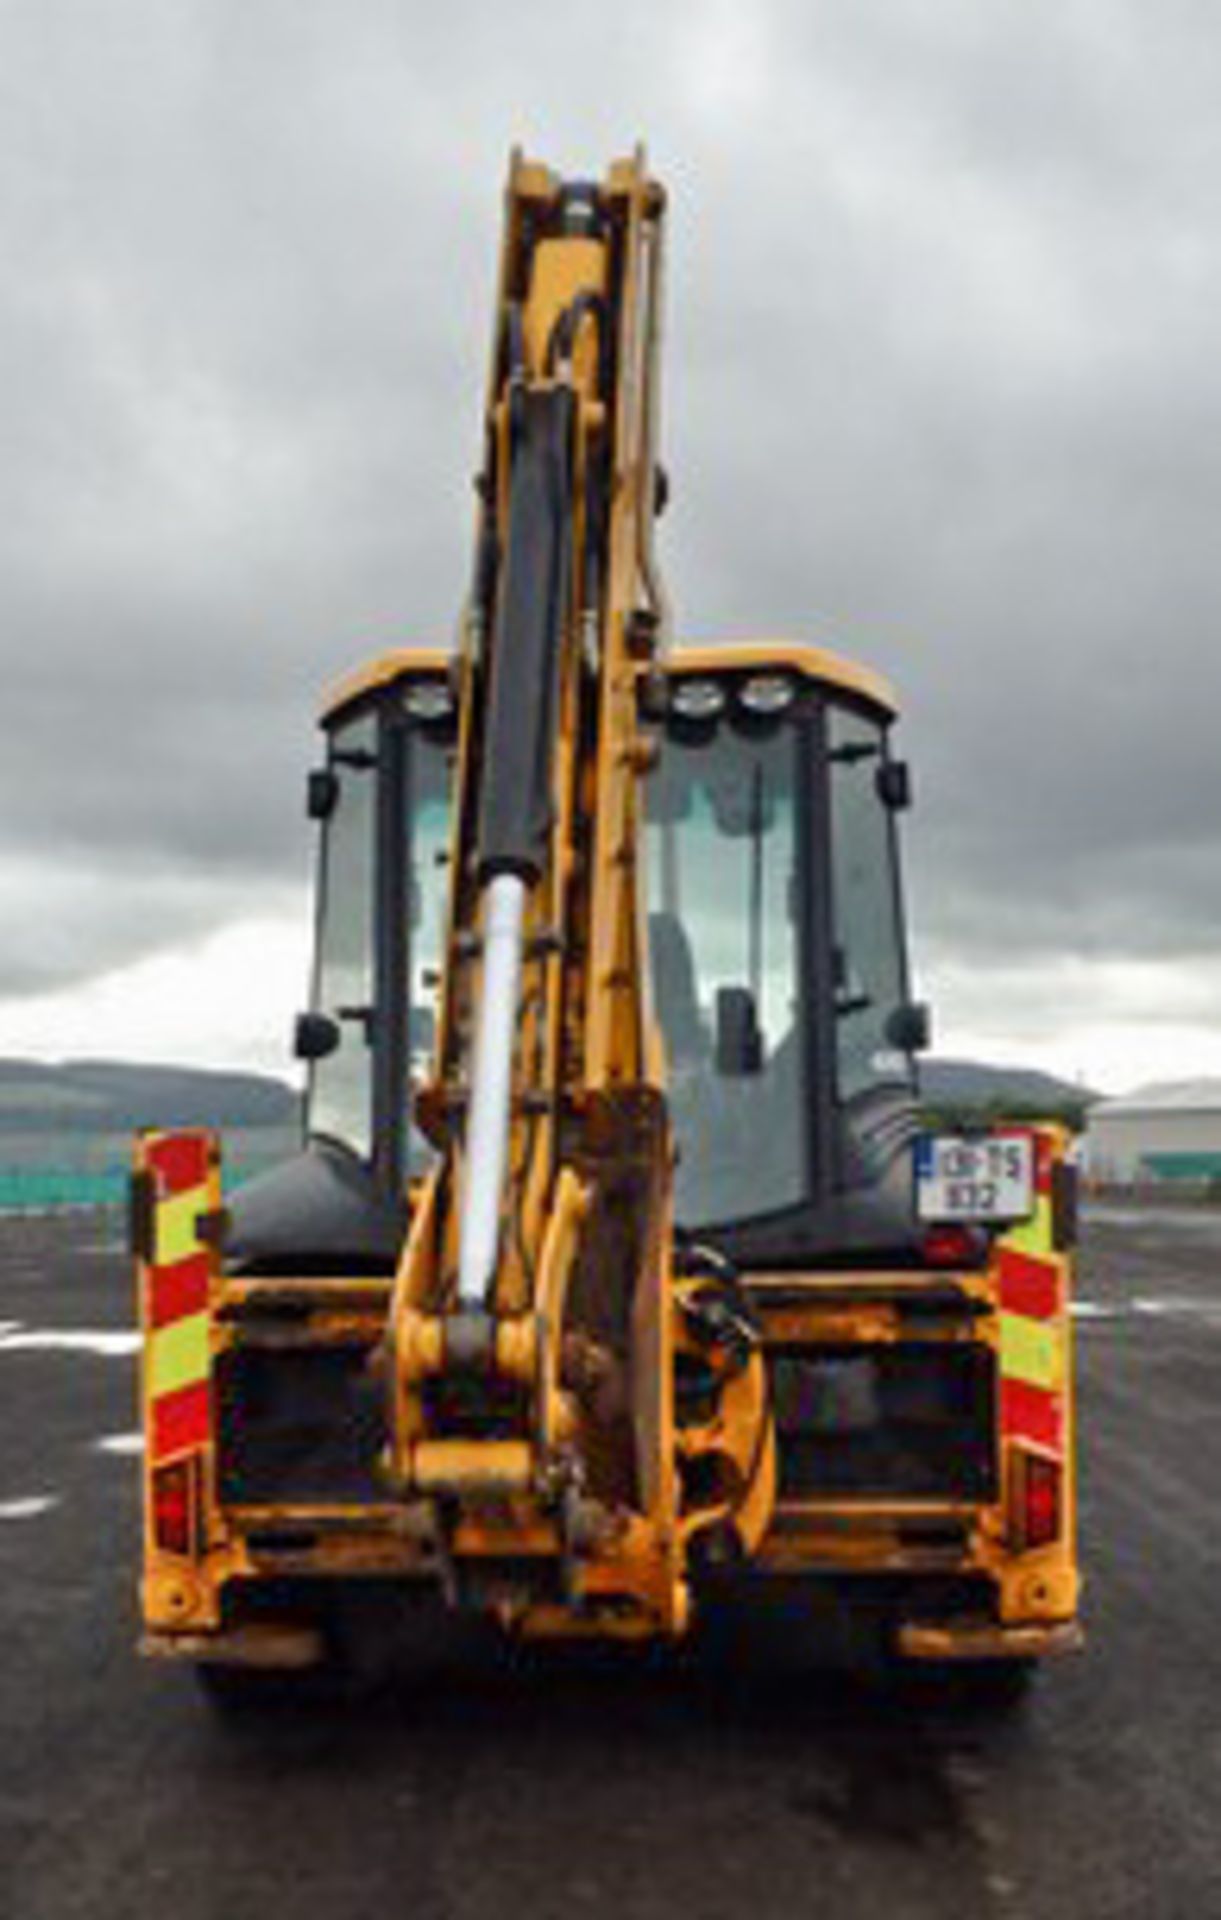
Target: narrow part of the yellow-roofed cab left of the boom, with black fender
[{"x": 381, "y": 800}]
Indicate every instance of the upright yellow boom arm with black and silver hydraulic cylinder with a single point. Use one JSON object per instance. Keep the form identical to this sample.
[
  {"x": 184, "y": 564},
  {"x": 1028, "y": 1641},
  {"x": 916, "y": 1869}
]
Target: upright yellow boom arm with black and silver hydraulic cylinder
[{"x": 529, "y": 1333}]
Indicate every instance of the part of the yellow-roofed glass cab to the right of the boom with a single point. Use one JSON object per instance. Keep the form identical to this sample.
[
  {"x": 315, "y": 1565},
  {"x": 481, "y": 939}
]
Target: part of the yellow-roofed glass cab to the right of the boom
[{"x": 778, "y": 955}]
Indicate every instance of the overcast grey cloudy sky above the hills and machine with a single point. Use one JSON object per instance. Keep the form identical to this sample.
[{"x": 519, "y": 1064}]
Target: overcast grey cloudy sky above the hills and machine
[{"x": 942, "y": 389}]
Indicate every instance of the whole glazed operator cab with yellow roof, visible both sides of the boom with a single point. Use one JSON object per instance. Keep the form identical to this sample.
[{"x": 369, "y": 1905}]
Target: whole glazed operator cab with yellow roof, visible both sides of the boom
[{"x": 777, "y": 948}]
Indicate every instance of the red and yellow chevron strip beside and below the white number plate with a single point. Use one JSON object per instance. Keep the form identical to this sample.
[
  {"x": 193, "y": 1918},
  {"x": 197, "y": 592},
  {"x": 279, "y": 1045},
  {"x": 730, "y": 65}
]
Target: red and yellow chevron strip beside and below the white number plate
[{"x": 1034, "y": 1318}]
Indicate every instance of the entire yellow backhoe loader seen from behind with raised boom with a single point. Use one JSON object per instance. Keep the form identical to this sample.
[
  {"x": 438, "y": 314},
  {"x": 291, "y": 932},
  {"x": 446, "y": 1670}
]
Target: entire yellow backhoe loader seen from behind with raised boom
[{"x": 613, "y": 1280}]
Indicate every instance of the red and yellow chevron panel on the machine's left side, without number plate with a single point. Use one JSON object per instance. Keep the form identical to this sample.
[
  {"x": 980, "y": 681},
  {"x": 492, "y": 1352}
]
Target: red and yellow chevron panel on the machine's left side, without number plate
[{"x": 181, "y": 1186}]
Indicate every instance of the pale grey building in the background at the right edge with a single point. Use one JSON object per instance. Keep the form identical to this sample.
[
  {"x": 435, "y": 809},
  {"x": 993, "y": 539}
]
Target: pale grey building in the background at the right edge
[{"x": 1168, "y": 1134}]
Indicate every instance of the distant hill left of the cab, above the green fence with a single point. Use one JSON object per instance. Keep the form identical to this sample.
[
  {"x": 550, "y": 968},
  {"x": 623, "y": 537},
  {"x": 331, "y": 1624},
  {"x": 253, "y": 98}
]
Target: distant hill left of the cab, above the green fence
[{"x": 116, "y": 1097}]
